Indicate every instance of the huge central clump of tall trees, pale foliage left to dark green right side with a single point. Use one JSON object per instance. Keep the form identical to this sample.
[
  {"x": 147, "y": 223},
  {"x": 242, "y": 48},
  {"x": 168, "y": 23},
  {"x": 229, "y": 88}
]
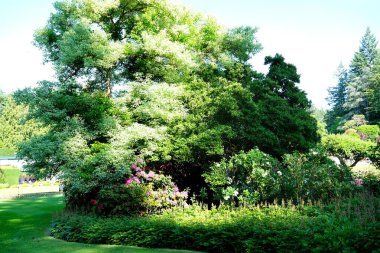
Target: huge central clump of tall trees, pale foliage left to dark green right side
[{"x": 186, "y": 95}]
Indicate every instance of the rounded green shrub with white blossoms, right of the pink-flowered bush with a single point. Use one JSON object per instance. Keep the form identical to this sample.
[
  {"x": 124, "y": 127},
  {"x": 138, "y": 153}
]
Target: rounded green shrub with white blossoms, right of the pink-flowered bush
[{"x": 246, "y": 178}]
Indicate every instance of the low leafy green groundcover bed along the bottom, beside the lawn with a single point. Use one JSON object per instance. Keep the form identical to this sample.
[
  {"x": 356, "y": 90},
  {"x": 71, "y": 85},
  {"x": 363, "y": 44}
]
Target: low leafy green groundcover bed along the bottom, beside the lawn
[{"x": 272, "y": 229}]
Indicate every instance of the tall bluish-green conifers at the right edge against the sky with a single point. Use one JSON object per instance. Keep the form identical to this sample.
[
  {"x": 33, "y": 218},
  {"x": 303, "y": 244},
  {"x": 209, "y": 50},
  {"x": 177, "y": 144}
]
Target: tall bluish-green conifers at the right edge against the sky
[{"x": 357, "y": 91}]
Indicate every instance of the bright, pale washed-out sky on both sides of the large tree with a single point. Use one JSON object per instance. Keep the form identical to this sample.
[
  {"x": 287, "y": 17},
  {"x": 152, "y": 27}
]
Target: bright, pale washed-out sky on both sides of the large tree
[{"x": 314, "y": 35}]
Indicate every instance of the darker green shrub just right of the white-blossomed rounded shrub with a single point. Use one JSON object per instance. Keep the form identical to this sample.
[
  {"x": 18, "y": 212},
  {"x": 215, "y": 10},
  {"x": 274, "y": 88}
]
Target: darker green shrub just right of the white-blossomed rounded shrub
[{"x": 313, "y": 177}]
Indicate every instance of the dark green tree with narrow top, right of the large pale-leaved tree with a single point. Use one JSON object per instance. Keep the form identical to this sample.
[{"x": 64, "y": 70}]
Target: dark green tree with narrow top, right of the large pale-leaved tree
[{"x": 284, "y": 110}]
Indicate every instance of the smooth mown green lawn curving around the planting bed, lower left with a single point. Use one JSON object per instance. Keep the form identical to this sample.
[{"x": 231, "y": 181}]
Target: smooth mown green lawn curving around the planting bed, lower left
[{"x": 24, "y": 225}]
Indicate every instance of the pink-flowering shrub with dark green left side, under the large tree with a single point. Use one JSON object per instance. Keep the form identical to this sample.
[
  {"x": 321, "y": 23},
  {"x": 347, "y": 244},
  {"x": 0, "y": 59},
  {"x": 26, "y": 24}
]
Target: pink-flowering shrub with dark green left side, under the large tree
[{"x": 144, "y": 191}]
